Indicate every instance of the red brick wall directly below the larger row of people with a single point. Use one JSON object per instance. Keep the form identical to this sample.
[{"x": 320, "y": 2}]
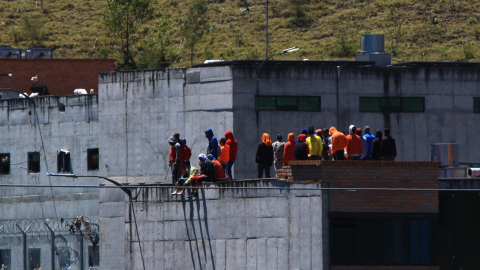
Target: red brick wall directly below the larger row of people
[{"x": 372, "y": 174}]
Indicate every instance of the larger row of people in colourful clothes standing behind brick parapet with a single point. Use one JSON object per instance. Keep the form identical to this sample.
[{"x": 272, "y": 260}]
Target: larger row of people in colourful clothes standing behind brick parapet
[{"x": 324, "y": 144}]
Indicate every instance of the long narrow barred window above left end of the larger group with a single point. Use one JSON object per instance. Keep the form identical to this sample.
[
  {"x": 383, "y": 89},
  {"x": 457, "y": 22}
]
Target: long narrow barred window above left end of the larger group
[{"x": 288, "y": 103}]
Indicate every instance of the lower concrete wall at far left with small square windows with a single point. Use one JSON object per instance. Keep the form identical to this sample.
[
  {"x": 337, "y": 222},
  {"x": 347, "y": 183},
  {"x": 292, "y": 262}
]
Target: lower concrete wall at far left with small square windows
[{"x": 75, "y": 129}]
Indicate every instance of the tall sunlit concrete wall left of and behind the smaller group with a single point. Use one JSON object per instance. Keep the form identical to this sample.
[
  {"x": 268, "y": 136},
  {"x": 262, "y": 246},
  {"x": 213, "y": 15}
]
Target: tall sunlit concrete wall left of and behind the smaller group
[{"x": 140, "y": 110}]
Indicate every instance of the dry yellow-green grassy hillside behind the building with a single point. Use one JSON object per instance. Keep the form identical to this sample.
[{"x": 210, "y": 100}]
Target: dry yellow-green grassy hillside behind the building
[{"x": 425, "y": 30}]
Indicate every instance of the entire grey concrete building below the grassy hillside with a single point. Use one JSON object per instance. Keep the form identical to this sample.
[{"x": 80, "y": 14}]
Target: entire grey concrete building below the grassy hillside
[{"x": 121, "y": 133}]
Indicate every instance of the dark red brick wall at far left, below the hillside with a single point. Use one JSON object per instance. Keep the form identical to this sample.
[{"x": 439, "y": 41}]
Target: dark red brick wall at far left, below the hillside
[{"x": 61, "y": 76}]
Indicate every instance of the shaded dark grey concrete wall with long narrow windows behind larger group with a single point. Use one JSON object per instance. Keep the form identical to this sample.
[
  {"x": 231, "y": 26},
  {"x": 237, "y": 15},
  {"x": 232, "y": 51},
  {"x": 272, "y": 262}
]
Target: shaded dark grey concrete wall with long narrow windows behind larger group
[{"x": 448, "y": 115}]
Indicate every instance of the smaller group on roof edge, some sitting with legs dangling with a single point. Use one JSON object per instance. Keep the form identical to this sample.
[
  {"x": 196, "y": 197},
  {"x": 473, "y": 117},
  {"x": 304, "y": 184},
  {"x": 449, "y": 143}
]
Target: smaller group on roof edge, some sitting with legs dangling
[{"x": 215, "y": 164}]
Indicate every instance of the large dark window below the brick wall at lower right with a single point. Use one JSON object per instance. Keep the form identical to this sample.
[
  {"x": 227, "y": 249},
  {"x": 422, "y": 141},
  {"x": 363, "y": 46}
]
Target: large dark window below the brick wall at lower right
[{"x": 381, "y": 240}]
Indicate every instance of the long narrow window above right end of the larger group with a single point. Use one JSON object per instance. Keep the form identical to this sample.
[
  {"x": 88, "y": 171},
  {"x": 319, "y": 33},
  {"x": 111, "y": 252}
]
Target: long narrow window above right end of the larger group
[{"x": 392, "y": 104}]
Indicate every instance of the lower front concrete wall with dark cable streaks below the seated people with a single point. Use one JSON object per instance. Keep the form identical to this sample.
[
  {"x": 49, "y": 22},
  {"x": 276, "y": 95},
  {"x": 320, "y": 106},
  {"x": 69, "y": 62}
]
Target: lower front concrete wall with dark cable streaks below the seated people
[{"x": 240, "y": 229}]
